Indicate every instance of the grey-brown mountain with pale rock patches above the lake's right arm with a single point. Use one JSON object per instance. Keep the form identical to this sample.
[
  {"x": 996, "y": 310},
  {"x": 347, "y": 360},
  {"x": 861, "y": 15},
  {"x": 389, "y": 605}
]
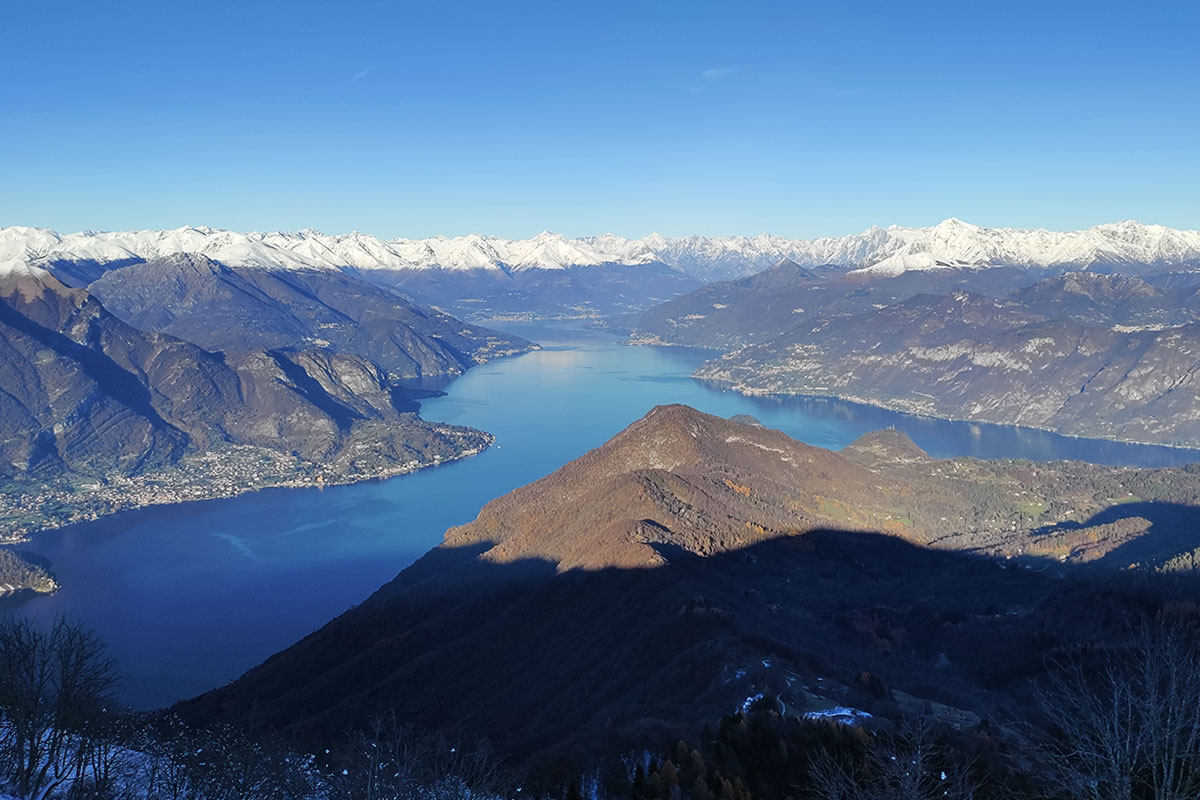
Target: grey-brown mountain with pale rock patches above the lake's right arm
[{"x": 1102, "y": 357}]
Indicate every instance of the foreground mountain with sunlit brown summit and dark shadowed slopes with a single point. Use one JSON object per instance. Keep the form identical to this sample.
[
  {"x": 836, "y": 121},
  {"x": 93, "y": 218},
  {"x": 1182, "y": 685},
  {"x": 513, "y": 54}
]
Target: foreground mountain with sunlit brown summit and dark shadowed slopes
[{"x": 693, "y": 564}]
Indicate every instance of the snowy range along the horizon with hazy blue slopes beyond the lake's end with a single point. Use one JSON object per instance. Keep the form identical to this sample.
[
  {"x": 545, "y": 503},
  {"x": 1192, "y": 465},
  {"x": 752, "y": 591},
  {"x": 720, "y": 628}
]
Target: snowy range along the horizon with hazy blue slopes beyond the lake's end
[{"x": 553, "y": 276}]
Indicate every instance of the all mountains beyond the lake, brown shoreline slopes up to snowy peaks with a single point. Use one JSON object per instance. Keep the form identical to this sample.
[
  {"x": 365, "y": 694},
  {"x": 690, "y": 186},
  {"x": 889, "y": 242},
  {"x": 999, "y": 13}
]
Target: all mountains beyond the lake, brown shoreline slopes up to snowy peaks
[{"x": 142, "y": 350}]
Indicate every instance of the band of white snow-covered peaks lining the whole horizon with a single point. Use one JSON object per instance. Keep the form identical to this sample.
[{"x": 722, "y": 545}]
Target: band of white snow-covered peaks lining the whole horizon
[{"x": 884, "y": 251}]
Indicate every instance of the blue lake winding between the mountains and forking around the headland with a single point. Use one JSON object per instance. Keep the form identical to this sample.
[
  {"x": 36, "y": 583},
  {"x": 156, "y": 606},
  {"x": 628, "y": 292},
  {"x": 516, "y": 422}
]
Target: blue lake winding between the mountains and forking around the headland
[{"x": 193, "y": 596}]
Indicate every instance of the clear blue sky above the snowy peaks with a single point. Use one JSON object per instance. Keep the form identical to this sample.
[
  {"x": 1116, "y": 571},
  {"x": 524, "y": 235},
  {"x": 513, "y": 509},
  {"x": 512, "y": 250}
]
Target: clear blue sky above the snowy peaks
[{"x": 407, "y": 119}]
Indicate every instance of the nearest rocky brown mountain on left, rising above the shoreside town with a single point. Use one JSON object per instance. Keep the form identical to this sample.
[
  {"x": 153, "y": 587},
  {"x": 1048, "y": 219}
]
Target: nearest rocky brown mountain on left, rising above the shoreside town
[{"x": 88, "y": 394}]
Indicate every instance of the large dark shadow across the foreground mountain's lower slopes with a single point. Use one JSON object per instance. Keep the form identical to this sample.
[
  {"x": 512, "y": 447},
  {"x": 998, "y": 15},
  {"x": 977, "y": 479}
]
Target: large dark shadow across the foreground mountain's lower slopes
[{"x": 556, "y": 666}]
